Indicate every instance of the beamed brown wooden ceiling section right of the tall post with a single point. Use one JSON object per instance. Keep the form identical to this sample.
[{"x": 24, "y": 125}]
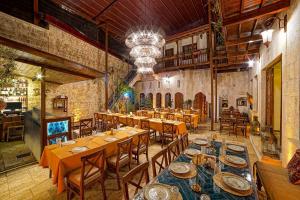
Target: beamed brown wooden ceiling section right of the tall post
[{"x": 243, "y": 21}]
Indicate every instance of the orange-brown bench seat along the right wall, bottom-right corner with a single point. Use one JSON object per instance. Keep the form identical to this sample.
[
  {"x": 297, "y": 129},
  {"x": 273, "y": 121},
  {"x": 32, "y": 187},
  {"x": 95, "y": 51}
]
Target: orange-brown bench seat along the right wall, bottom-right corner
[{"x": 275, "y": 182}]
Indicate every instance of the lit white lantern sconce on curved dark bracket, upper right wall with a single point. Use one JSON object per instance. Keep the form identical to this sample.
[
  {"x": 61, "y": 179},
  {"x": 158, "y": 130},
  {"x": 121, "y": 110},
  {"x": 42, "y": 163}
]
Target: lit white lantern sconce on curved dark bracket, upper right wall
[{"x": 268, "y": 33}]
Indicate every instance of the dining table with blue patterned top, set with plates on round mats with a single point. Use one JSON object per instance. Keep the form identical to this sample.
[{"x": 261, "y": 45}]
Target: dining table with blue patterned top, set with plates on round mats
[{"x": 205, "y": 175}]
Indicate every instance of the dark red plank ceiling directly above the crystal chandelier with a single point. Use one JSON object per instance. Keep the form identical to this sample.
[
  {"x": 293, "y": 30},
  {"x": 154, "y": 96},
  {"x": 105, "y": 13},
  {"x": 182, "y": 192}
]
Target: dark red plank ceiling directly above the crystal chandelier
[{"x": 171, "y": 15}]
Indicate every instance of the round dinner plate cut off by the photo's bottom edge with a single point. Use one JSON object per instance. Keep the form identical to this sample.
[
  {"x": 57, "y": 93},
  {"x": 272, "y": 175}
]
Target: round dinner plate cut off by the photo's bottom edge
[{"x": 157, "y": 192}]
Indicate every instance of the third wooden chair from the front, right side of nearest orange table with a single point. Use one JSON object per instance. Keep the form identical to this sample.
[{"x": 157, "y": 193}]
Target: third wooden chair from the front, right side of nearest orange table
[{"x": 142, "y": 147}]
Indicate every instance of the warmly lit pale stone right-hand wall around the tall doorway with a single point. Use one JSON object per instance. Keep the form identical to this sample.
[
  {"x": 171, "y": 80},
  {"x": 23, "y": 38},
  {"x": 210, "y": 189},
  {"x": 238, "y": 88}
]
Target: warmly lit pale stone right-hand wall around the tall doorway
[{"x": 287, "y": 45}]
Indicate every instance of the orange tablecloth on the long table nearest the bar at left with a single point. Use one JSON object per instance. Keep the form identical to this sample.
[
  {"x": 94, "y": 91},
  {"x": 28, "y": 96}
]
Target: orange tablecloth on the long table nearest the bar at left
[{"x": 61, "y": 160}]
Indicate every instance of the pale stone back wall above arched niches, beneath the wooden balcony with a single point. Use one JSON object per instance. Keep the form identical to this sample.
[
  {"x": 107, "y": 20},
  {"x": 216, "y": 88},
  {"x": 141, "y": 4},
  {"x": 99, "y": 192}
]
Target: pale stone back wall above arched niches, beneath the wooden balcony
[{"x": 189, "y": 82}]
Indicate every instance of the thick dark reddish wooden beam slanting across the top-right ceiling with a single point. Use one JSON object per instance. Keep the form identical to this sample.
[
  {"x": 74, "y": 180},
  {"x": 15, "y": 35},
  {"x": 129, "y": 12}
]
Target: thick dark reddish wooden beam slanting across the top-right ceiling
[{"x": 258, "y": 13}]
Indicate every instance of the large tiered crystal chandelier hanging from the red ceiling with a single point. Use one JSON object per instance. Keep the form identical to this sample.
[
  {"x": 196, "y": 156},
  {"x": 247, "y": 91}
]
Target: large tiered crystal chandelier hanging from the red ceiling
[{"x": 145, "y": 43}]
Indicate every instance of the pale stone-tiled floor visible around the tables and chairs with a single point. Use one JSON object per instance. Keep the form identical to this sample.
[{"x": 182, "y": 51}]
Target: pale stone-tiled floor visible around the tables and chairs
[{"x": 32, "y": 182}]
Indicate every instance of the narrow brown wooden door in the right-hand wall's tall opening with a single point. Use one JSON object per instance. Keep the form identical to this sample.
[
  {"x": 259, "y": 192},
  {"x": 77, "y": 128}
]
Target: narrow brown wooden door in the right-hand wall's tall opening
[{"x": 269, "y": 96}]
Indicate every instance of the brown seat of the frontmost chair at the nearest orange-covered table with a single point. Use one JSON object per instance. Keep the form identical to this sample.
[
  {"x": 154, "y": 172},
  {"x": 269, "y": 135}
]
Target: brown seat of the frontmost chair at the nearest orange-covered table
[{"x": 75, "y": 176}]
